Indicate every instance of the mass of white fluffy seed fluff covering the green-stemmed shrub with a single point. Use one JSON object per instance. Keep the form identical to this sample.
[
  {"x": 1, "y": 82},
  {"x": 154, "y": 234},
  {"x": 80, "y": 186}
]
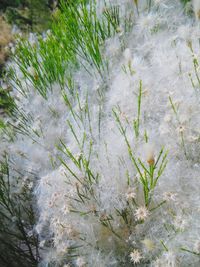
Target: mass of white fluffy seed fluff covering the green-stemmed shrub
[{"x": 95, "y": 226}]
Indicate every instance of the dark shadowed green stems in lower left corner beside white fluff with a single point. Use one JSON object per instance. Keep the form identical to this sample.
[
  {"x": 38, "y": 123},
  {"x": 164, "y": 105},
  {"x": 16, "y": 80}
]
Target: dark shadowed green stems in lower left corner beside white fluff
[{"x": 19, "y": 244}]
